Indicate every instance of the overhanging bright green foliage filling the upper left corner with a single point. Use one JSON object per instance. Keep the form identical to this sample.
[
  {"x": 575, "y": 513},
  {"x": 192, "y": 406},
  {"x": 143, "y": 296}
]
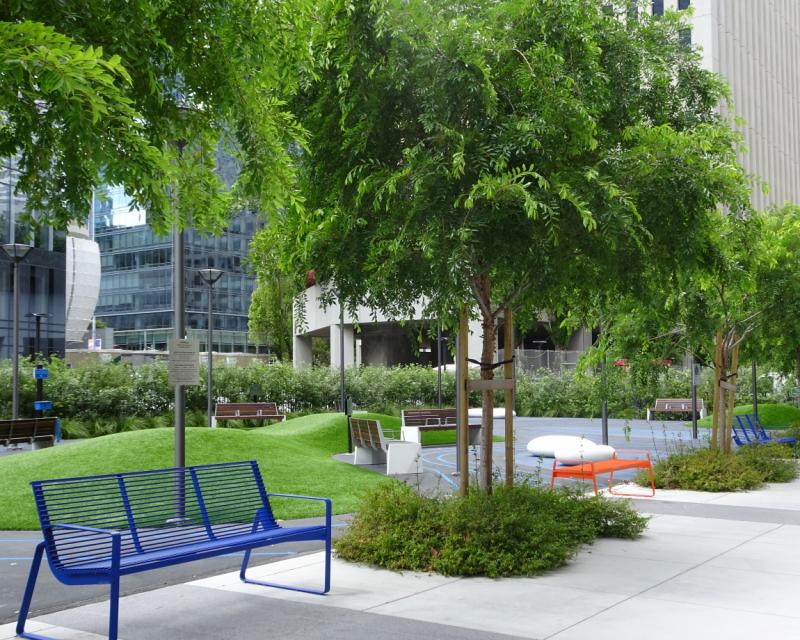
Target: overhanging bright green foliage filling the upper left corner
[{"x": 144, "y": 91}]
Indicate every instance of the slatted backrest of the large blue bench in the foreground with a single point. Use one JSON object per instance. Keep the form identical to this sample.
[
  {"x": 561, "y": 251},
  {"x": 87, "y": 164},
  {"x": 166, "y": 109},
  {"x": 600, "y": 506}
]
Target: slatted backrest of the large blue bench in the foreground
[{"x": 218, "y": 501}]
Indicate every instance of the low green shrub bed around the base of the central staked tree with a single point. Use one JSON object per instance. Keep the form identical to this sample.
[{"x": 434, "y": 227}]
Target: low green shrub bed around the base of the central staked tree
[{"x": 524, "y": 530}]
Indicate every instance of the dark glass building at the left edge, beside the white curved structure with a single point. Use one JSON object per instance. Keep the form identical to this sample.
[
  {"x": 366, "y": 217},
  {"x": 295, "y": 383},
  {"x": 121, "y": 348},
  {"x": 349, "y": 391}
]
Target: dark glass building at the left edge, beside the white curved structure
[{"x": 42, "y": 275}]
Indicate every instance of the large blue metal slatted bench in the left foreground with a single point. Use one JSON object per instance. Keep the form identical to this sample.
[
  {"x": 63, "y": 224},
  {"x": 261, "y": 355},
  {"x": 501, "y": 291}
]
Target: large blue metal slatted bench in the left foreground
[{"x": 99, "y": 528}]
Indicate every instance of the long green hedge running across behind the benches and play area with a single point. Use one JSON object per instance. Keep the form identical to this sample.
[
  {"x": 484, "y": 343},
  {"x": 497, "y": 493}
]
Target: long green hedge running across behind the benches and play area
[{"x": 104, "y": 390}]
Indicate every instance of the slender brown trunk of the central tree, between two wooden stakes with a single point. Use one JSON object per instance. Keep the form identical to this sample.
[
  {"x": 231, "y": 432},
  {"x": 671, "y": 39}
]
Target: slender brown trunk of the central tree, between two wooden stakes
[{"x": 483, "y": 286}]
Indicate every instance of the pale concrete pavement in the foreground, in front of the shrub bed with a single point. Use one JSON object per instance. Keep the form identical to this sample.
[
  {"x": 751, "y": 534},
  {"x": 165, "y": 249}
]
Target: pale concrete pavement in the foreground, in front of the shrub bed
[{"x": 688, "y": 577}]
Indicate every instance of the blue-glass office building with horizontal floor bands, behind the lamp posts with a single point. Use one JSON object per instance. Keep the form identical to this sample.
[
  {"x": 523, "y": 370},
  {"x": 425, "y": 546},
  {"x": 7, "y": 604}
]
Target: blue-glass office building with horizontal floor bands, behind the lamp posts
[{"x": 136, "y": 285}]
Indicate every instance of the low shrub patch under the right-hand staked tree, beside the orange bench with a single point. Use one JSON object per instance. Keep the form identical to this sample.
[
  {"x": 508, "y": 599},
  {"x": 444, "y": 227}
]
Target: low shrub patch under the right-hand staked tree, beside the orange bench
[{"x": 712, "y": 470}]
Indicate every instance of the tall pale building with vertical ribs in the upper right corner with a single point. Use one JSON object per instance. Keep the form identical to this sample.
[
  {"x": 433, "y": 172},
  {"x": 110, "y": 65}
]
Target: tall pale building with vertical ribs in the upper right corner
[{"x": 755, "y": 46}]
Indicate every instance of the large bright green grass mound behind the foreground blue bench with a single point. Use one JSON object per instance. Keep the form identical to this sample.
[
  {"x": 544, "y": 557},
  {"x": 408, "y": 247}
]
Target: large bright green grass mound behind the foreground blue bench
[{"x": 294, "y": 456}]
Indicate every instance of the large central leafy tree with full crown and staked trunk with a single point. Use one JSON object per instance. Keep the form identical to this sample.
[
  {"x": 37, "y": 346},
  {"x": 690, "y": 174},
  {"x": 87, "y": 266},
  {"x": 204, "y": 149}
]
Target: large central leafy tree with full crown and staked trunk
[{"x": 526, "y": 152}]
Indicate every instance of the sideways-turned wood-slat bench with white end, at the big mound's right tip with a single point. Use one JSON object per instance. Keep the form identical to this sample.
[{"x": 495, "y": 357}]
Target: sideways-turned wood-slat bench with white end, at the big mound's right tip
[{"x": 373, "y": 447}]
